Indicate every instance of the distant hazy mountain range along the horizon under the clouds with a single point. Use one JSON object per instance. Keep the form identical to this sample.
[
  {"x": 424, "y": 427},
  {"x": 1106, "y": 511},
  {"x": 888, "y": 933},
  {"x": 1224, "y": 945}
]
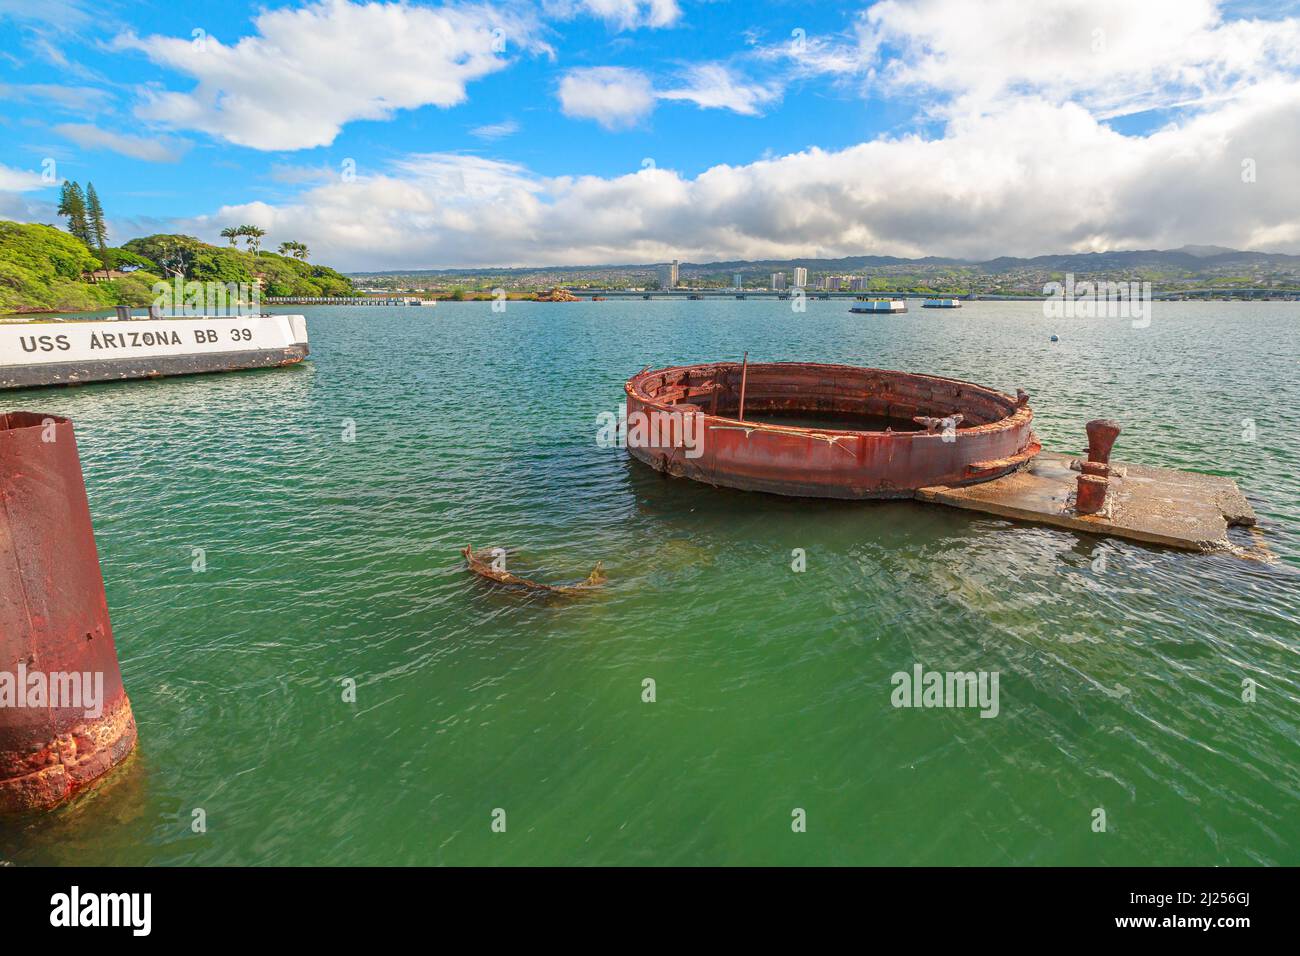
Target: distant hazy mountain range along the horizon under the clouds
[{"x": 1189, "y": 258}]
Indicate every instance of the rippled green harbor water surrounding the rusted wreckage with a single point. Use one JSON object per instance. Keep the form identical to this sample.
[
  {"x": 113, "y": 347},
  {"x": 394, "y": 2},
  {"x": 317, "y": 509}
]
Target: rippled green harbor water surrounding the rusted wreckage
[{"x": 1121, "y": 667}]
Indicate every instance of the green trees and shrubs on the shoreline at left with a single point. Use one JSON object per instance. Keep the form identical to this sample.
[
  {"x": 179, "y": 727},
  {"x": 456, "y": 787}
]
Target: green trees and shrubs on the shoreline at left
[{"x": 47, "y": 270}]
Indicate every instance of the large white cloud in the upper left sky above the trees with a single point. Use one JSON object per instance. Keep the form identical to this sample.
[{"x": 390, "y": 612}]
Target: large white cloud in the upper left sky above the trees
[{"x": 307, "y": 72}]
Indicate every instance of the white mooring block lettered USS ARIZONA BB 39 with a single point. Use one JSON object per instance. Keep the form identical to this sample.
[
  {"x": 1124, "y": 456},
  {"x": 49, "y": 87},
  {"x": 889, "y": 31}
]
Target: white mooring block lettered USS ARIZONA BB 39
[{"x": 63, "y": 352}]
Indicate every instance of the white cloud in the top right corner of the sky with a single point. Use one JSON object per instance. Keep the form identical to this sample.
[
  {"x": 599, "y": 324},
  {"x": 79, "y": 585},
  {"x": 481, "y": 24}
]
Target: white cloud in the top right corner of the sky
[{"x": 1113, "y": 57}]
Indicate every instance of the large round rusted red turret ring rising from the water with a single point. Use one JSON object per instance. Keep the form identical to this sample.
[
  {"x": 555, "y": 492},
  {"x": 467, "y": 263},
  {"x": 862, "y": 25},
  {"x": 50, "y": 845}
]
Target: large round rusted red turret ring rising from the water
[{"x": 895, "y": 432}]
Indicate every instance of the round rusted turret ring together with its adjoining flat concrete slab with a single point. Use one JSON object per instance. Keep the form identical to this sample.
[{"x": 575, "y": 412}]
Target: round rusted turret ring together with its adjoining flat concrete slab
[{"x": 847, "y": 432}]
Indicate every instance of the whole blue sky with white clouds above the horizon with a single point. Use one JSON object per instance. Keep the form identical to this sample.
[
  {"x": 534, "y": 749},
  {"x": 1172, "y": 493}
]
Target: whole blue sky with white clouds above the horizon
[{"x": 413, "y": 136}]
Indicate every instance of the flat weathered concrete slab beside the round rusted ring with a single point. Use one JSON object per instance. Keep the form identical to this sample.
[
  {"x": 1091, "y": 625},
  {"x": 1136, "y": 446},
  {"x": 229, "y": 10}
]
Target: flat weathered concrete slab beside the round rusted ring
[{"x": 1160, "y": 507}]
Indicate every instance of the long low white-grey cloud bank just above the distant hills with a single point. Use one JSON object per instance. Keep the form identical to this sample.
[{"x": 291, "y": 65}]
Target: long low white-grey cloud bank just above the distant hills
[{"x": 995, "y": 184}]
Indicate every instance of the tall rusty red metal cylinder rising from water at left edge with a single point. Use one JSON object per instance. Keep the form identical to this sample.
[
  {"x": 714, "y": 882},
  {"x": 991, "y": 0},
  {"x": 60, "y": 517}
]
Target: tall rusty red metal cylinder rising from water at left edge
[{"x": 64, "y": 716}]
